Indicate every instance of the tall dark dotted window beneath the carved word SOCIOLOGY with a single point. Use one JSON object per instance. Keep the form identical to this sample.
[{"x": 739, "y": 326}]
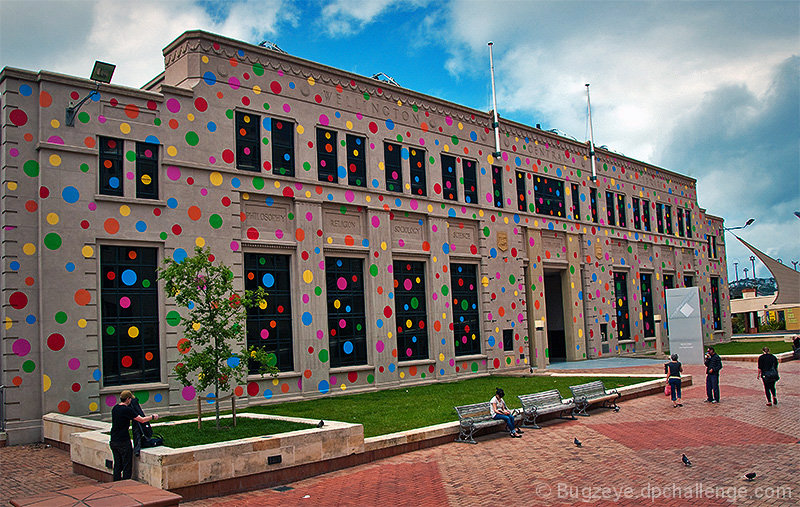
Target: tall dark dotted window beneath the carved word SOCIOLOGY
[{"x": 410, "y": 310}]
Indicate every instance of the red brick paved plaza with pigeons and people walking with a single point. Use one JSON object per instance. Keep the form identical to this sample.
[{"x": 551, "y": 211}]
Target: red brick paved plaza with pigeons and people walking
[{"x": 628, "y": 458}]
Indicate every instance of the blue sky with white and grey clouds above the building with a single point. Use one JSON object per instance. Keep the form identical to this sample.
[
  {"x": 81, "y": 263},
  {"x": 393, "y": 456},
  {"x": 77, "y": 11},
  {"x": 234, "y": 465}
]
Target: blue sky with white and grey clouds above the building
[{"x": 709, "y": 89}]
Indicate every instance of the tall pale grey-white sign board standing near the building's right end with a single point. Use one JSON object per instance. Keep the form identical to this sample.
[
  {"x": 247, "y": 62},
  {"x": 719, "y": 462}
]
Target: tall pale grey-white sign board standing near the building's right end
[{"x": 685, "y": 324}]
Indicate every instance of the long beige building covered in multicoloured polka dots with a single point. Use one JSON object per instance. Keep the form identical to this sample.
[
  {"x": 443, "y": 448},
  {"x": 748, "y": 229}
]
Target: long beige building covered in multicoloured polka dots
[{"x": 395, "y": 247}]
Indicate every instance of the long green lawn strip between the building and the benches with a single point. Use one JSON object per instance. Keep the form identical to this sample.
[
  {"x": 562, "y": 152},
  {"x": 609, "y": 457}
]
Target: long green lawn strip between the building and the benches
[{"x": 388, "y": 411}]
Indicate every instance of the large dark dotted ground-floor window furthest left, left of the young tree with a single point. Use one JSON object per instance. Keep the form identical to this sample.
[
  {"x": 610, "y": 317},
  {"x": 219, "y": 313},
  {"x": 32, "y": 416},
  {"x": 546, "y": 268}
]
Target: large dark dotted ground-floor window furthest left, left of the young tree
[{"x": 129, "y": 302}]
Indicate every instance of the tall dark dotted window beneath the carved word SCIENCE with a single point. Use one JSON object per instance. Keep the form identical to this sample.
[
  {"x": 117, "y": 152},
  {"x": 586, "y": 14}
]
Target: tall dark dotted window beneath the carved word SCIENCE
[{"x": 466, "y": 320}]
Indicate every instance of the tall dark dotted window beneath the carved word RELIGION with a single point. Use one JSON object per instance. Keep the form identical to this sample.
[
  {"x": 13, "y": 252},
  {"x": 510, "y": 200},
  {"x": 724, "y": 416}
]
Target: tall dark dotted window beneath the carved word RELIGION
[{"x": 347, "y": 332}]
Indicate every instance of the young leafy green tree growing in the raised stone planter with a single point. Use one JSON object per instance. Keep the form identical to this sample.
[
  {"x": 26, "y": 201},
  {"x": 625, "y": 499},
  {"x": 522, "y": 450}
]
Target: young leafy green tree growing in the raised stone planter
[{"x": 215, "y": 346}]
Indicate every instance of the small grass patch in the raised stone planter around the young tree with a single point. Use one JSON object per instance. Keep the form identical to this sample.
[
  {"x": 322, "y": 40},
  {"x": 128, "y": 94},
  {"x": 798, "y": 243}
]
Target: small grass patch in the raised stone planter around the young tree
[{"x": 184, "y": 435}]
